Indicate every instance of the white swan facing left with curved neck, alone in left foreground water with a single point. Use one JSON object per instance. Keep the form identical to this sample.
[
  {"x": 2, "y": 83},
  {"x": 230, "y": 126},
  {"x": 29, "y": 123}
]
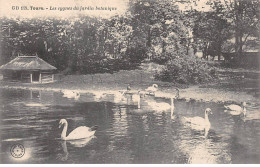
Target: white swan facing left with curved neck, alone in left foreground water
[{"x": 78, "y": 133}]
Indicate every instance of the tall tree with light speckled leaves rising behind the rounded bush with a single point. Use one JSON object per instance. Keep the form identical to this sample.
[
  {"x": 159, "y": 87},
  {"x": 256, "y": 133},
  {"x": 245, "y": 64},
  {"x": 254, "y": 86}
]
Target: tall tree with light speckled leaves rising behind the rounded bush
[{"x": 158, "y": 27}]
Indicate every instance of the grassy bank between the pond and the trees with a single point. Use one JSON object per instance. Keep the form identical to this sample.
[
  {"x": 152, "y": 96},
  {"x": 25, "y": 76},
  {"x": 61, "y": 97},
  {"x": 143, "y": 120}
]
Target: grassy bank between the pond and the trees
[{"x": 229, "y": 88}]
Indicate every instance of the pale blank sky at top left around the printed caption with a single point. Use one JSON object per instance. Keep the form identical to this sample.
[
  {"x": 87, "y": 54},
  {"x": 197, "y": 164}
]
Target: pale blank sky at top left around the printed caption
[{"x": 13, "y": 8}]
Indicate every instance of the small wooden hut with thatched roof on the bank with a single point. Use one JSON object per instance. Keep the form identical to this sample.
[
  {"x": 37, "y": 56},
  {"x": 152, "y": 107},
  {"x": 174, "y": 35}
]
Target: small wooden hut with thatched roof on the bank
[{"x": 28, "y": 69}]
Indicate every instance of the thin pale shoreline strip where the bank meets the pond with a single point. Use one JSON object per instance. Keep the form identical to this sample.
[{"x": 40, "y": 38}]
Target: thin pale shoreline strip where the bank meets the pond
[{"x": 184, "y": 98}]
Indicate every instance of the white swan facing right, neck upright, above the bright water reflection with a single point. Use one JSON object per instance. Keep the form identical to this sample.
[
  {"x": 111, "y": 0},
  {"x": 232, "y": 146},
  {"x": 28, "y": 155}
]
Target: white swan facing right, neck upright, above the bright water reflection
[{"x": 199, "y": 123}]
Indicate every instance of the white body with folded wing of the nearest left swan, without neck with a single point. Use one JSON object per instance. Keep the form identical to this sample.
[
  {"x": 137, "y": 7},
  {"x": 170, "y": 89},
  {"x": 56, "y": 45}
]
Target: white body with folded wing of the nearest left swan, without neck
[{"x": 80, "y": 133}]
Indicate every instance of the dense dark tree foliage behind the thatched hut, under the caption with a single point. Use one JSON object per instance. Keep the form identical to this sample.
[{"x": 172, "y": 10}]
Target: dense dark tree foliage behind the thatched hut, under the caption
[{"x": 84, "y": 44}]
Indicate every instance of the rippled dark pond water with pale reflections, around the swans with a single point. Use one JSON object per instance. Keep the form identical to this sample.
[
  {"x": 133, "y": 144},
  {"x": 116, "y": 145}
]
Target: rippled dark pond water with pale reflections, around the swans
[{"x": 125, "y": 133}]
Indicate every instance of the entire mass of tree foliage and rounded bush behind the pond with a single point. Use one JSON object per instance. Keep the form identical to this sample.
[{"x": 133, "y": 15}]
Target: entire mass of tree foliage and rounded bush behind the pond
[{"x": 152, "y": 29}]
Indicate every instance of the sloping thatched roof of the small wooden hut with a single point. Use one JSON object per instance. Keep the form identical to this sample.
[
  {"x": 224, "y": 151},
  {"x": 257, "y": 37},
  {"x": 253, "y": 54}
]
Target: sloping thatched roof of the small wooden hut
[{"x": 27, "y": 63}]
